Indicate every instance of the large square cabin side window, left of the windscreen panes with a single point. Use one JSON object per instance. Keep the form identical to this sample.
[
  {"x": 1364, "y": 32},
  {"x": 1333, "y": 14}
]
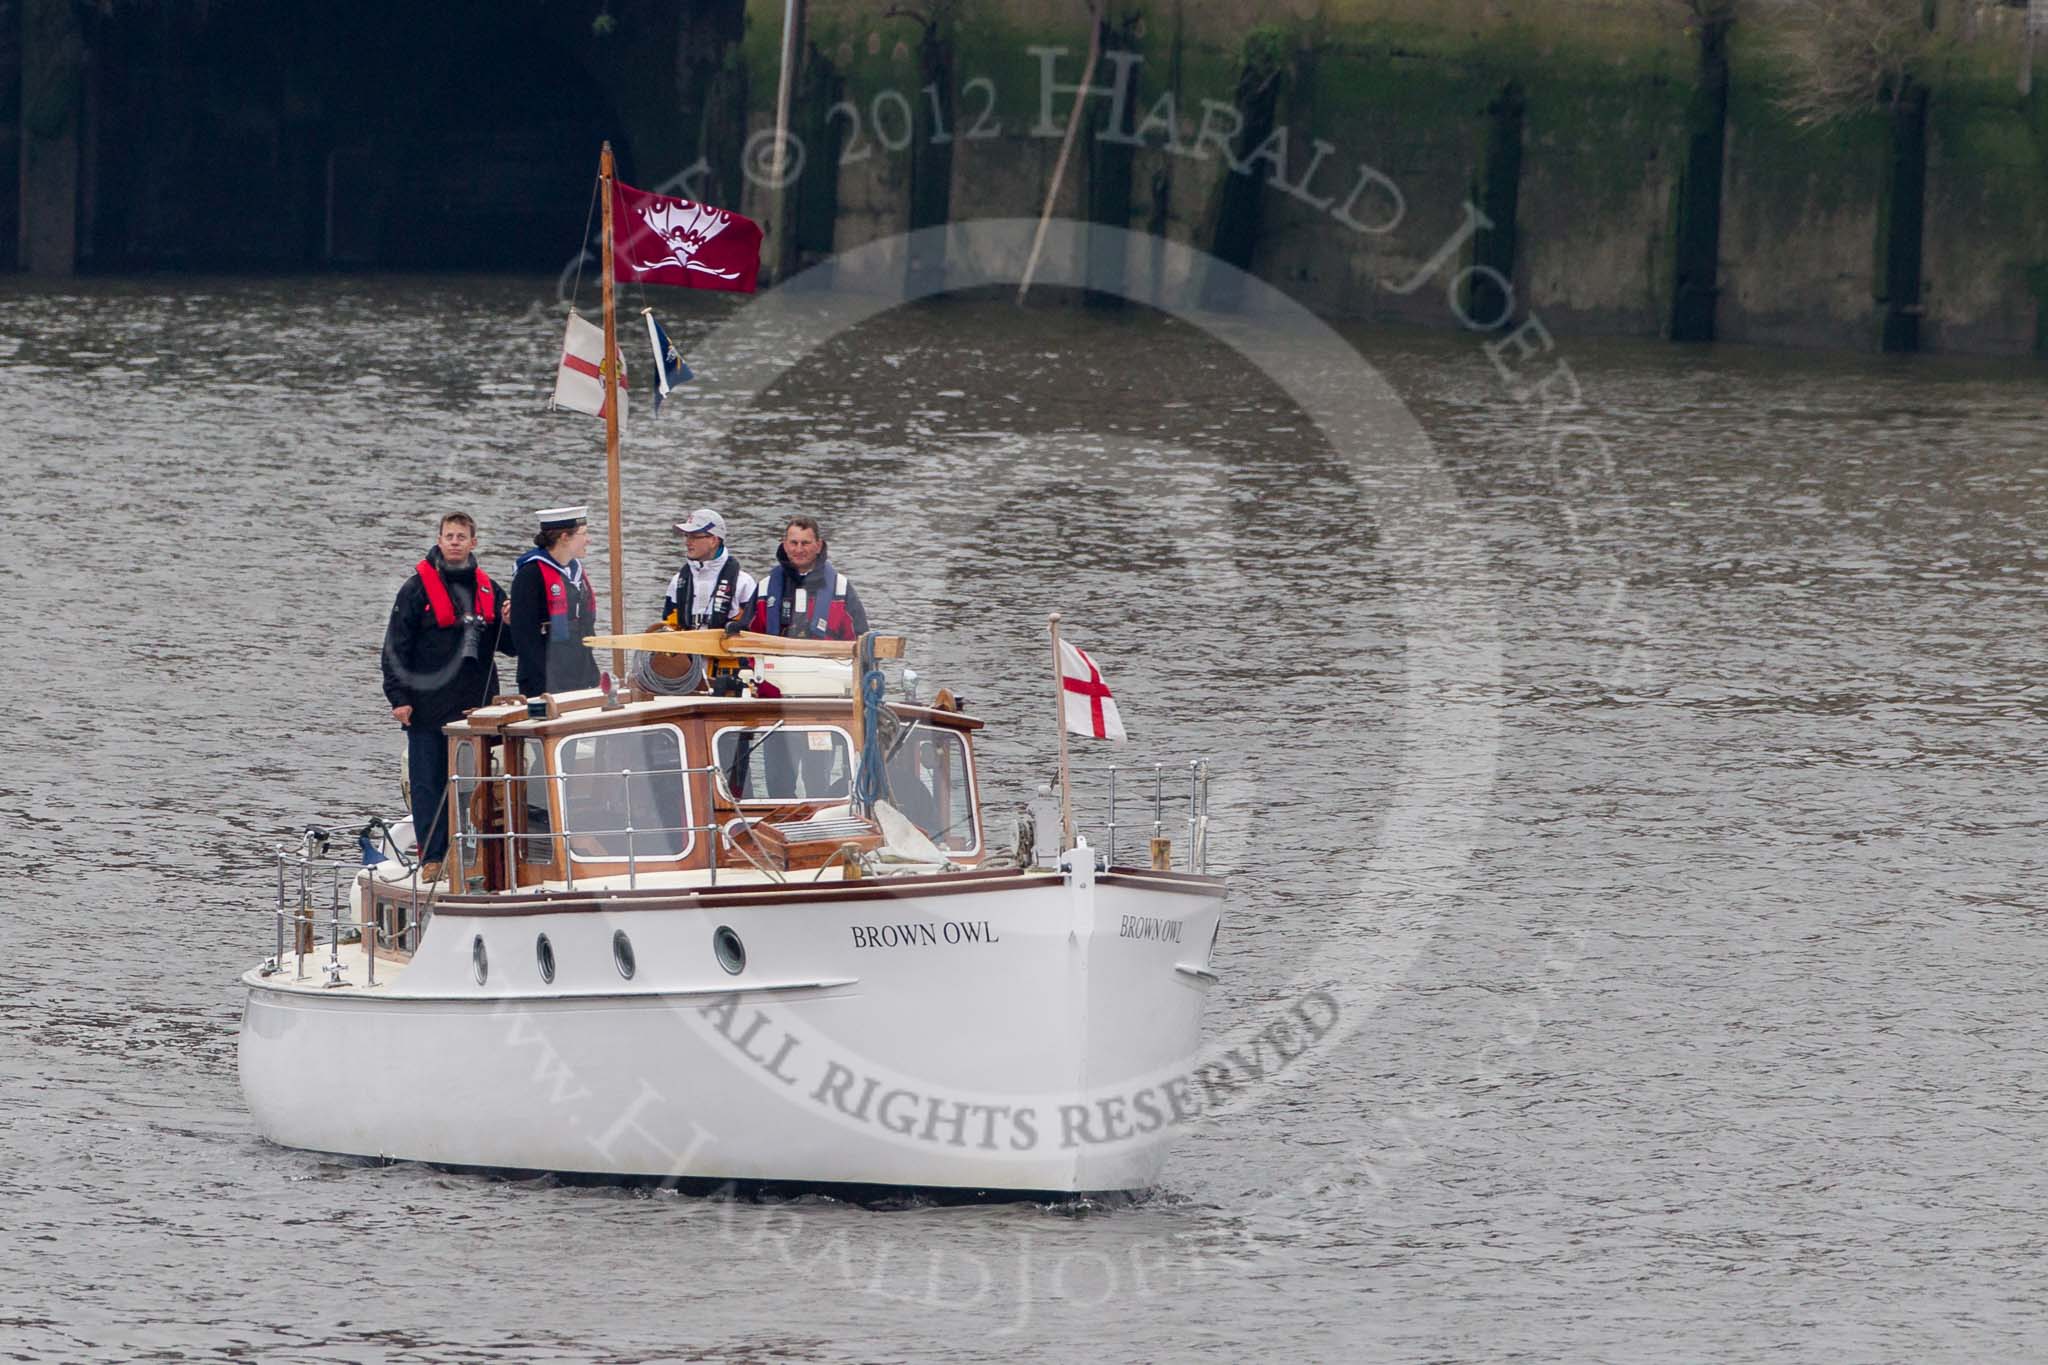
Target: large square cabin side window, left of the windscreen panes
[{"x": 624, "y": 795}]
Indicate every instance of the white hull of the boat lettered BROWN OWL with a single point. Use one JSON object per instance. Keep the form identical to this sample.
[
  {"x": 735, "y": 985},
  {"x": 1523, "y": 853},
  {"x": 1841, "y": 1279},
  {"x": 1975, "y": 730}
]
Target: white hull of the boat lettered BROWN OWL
[{"x": 990, "y": 1034}]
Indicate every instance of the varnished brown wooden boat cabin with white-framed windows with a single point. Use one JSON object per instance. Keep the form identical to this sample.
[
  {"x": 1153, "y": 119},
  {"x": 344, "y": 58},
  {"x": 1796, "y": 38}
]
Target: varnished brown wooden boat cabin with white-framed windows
[{"x": 654, "y": 787}]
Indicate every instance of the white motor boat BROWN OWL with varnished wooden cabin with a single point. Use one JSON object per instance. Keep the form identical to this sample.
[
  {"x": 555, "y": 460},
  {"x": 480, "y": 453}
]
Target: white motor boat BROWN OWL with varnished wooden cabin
[{"x": 738, "y": 938}]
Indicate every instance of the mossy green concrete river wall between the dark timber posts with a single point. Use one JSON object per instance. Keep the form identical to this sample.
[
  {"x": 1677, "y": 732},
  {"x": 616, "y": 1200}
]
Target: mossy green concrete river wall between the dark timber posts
[{"x": 1398, "y": 91}]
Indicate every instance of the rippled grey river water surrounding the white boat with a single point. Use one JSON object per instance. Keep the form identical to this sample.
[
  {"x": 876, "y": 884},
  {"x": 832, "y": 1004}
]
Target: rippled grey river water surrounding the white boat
[{"x": 1713, "y": 1030}]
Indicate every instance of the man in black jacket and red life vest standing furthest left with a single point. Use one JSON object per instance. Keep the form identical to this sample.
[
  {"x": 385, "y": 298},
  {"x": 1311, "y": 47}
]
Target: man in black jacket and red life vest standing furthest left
[{"x": 437, "y": 664}]
